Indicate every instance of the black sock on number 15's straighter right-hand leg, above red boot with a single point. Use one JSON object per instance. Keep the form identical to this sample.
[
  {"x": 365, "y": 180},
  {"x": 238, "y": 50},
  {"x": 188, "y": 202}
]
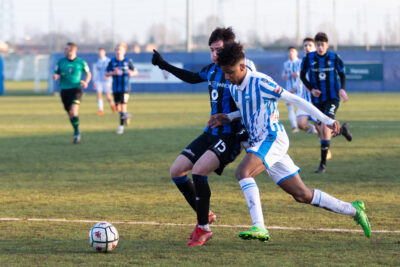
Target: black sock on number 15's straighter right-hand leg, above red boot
[{"x": 203, "y": 194}]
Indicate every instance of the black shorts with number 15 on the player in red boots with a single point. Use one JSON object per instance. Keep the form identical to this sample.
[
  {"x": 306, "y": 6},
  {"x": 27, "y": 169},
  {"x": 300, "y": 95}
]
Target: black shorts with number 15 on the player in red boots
[{"x": 226, "y": 147}]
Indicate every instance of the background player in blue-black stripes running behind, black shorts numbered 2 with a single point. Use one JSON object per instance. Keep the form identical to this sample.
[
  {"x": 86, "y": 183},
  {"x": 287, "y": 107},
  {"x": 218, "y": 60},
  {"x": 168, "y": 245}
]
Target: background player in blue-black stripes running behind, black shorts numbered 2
[{"x": 323, "y": 67}]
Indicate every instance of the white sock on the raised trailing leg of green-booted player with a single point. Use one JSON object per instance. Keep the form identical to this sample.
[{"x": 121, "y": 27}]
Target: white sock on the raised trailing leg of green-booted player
[{"x": 324, "y": 200}]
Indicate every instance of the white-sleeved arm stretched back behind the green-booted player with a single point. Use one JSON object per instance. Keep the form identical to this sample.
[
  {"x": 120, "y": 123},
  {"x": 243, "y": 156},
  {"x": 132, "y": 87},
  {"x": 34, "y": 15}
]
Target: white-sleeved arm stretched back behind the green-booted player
[{"x": 310, "y": 109}]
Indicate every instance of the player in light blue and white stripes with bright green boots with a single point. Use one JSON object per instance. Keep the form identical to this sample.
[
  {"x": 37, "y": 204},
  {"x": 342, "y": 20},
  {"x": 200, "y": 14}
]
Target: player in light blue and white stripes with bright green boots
[{"x": 256, "y": 96}]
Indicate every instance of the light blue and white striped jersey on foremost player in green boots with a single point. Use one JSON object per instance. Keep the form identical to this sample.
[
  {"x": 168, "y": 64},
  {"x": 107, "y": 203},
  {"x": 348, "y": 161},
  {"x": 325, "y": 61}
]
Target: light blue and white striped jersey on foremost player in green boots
[{"x": 257, "y": 99}]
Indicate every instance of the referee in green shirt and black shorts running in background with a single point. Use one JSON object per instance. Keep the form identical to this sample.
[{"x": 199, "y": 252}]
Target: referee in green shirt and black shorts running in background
[{"x": 70, "y": 71}]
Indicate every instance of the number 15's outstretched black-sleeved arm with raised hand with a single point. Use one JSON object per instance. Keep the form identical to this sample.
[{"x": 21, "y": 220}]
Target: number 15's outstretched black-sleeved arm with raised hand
[{"x": 184, "y": 75}]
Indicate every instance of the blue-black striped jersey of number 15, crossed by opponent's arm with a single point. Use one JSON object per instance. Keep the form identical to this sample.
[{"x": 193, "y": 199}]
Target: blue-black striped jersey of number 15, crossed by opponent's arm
[{"x": 220, "y": 98}]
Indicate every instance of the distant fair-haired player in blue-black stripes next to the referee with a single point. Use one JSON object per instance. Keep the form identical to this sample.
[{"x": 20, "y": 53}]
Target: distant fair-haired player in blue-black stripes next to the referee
[{"x": 121, "y": 69}]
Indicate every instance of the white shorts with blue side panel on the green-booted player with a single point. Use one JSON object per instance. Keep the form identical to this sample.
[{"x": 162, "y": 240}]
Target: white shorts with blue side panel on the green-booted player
[{"x": 273, "y": 152}]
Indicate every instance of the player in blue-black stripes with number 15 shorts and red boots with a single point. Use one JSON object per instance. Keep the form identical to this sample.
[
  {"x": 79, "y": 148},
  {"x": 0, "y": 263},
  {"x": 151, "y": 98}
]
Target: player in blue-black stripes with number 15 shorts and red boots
[{"x": 214, "y": 148}]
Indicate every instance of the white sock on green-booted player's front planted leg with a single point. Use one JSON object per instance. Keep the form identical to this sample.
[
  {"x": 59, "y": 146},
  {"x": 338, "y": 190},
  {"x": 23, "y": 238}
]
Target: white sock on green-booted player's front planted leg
[{"x": 252, "y": 196}]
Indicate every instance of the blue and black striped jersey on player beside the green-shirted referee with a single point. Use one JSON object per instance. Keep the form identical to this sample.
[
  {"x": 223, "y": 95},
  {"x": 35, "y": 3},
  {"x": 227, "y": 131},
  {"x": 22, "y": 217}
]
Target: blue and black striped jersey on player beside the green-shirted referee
[{"x": 120, "y": 82}]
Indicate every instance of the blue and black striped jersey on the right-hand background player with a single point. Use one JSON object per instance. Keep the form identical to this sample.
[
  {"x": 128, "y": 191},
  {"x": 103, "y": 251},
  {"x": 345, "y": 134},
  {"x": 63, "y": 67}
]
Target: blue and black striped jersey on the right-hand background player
[{"x": 323, "y": 72}]
